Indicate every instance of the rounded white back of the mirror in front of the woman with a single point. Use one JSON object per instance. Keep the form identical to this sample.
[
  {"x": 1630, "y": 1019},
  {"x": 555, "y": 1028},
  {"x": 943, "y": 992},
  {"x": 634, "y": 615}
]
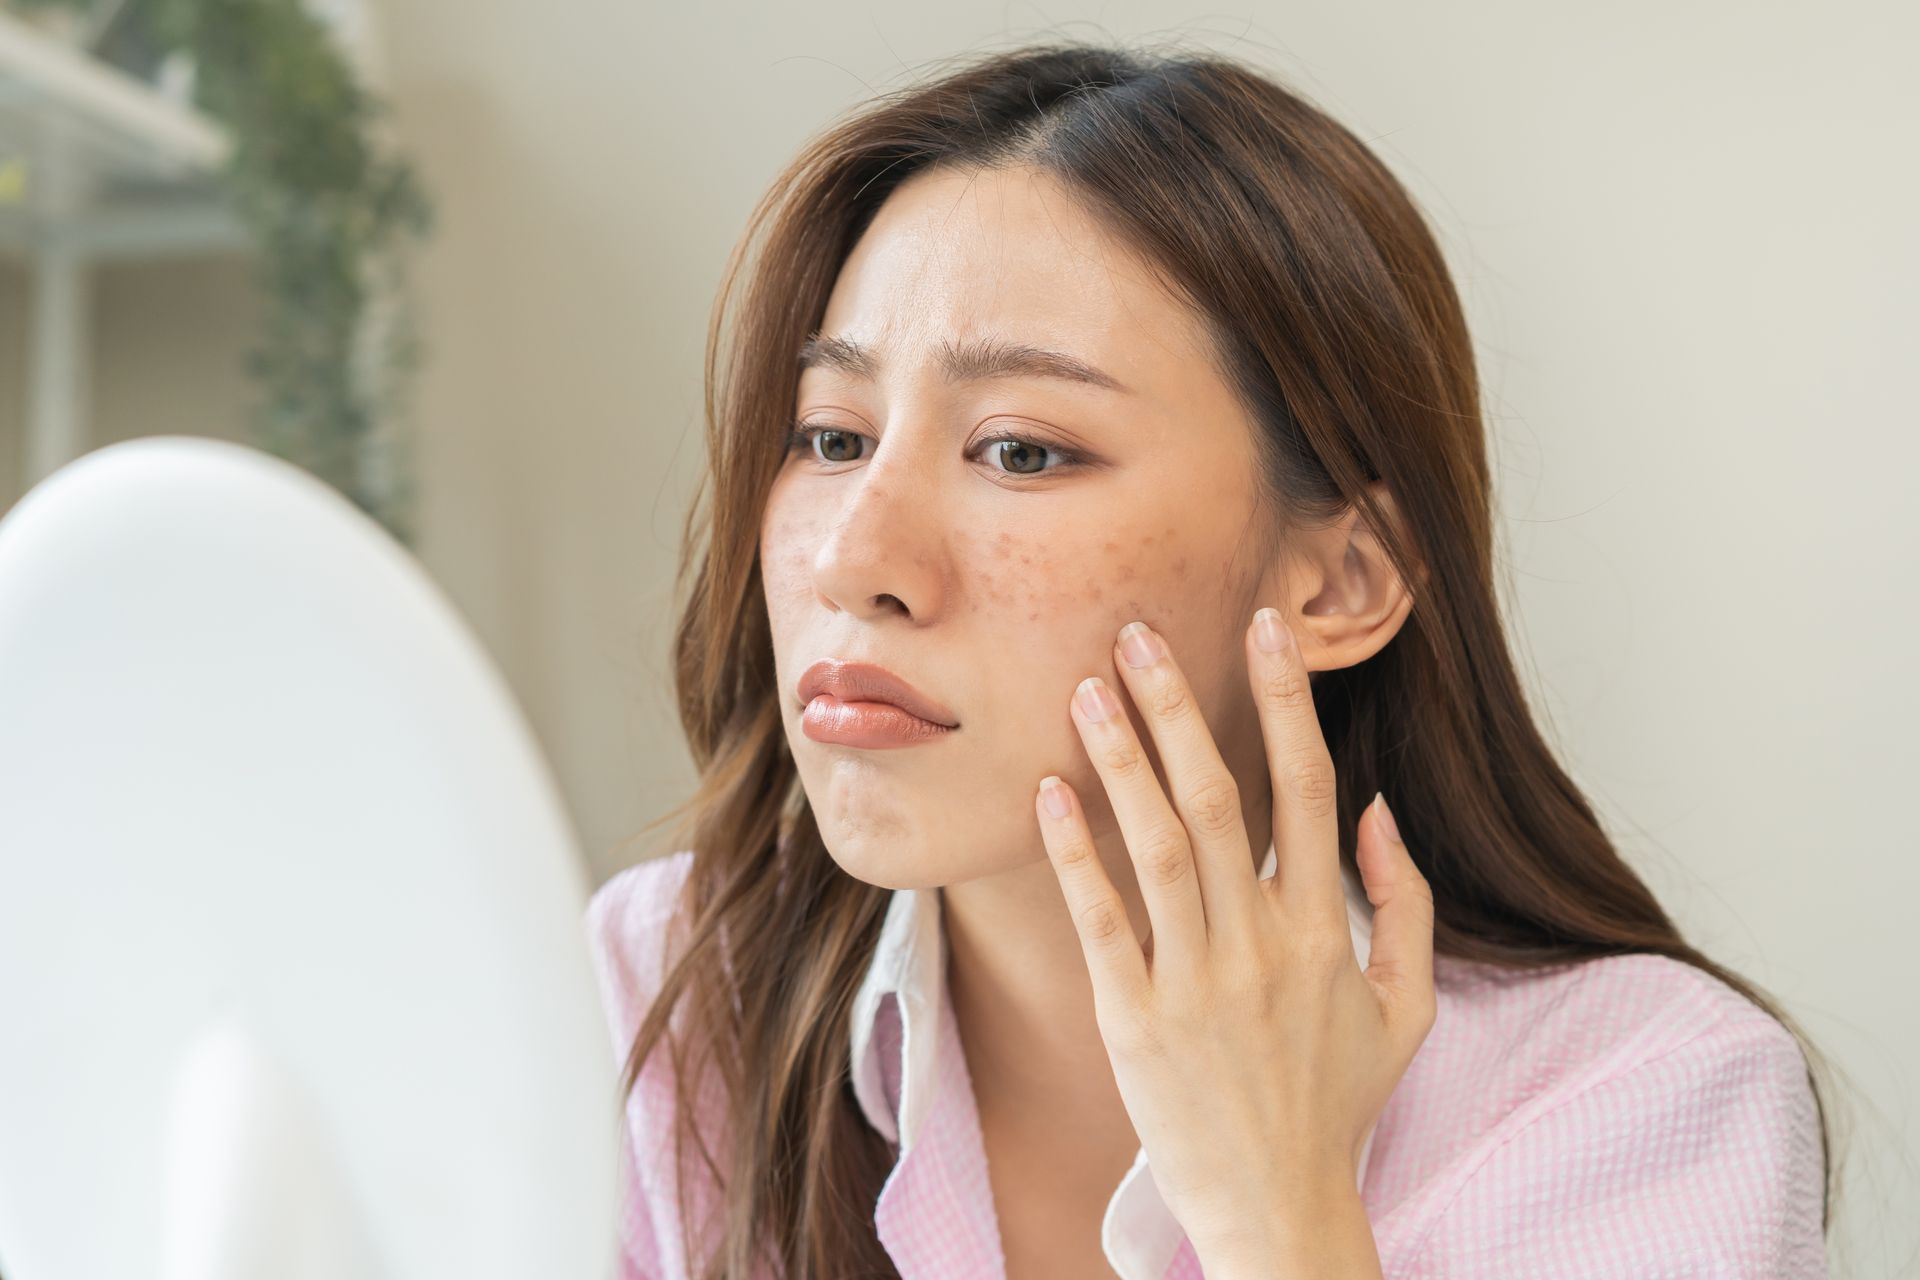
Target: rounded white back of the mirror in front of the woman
[{"x": 291, "y": 914}]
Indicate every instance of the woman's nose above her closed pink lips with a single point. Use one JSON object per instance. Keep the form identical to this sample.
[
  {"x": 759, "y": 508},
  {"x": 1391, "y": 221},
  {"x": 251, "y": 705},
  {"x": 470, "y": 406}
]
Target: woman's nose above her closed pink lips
[{"x": 886, "y": 546}]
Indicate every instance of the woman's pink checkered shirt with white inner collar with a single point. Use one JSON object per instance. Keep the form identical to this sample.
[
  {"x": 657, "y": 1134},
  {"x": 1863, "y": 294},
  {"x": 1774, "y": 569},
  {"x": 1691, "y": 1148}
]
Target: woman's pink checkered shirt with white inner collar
[{"x": 1625, "y": 1118}]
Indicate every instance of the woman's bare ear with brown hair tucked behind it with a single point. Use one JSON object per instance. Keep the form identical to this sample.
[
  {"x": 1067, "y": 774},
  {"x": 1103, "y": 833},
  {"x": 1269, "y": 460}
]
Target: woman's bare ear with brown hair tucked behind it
[{"x": 1347, "y": 600}]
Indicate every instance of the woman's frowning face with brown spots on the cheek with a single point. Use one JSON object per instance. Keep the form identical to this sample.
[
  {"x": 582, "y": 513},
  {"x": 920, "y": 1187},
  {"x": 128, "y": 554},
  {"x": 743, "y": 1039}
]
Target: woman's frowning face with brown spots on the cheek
[{"x": 994, "y": 577}]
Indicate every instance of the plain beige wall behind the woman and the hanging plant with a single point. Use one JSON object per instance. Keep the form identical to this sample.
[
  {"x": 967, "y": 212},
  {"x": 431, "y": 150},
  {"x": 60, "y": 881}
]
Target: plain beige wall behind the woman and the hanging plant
[{"x": 1691, "y": 266}]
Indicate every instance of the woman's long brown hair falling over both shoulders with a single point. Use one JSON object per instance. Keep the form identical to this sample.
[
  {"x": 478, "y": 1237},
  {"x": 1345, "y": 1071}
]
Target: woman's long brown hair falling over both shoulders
[{"x": 1339, "y": 327}]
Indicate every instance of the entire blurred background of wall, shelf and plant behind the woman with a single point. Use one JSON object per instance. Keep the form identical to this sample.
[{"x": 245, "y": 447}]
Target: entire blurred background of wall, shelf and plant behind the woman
[{"x": 458, "y": 256}]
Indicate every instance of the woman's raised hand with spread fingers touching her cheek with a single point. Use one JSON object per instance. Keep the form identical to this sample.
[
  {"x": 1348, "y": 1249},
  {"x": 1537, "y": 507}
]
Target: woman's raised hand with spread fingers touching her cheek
[{"x": 1251, "y": 1051}]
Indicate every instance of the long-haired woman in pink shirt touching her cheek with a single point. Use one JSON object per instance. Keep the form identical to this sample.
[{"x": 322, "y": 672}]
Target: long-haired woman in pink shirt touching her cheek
[{"x": 1082, "y": 383}]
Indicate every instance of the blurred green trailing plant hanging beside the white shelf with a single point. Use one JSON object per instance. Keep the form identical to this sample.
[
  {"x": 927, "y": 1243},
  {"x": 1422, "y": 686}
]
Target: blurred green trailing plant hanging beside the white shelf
[{"x": 333, "y": 214}]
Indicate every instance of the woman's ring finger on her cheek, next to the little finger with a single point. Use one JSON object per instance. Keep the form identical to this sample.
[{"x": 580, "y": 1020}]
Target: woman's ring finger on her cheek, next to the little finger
[{"x": 1157, "y": 841}]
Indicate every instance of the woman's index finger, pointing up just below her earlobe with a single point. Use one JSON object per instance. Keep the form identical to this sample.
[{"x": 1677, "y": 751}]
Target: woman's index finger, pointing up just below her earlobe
[{"x": 1307, "y": 834}]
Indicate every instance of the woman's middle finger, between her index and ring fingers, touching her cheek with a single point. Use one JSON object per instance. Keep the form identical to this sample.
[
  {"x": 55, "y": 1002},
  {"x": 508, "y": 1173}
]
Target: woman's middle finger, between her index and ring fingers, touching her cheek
[{"x": 1205, "y": 794}]
